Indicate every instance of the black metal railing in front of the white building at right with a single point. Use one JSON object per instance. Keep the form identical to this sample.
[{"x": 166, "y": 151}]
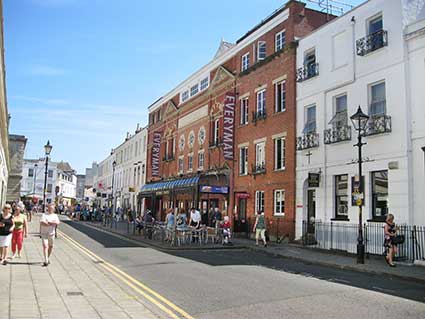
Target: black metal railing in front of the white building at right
[{"x": 342, "y": 236}]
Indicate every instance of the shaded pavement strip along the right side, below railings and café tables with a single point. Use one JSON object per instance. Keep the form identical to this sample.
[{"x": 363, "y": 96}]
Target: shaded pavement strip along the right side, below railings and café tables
[{"x": 373, "y": 264}]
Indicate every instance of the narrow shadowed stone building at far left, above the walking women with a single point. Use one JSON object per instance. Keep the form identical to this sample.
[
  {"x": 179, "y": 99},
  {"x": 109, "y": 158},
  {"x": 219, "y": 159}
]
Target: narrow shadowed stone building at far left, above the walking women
[{"x": 17, "y": 145}]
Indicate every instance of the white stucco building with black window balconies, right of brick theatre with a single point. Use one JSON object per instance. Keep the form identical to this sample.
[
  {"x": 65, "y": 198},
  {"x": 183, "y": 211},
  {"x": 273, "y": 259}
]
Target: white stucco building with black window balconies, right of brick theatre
[{"x": 361, "y": 59}]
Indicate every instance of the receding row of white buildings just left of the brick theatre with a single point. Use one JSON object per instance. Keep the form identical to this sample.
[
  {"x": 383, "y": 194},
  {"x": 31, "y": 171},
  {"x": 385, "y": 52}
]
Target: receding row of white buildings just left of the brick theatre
[{"x": 129, "y": 175}]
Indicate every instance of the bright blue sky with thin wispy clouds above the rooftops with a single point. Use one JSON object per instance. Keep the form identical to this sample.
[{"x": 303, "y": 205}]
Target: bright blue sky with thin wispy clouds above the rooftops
[{"x": 82, "y": 73}]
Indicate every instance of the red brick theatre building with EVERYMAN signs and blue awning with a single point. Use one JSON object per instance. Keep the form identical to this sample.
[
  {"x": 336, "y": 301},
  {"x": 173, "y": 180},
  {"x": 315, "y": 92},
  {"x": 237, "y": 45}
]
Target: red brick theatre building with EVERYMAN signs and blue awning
[{"x": 225, "y": 137}]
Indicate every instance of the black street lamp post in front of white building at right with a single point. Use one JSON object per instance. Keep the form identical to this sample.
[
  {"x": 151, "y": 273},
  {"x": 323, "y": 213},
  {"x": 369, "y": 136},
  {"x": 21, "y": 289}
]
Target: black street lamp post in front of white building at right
[{"x": 359, "y": 120}]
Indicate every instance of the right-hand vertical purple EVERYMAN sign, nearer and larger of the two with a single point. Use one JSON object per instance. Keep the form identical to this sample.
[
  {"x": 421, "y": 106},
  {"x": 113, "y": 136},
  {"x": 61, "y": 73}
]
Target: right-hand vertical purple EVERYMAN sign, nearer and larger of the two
[{"x": 228, "y": 126}]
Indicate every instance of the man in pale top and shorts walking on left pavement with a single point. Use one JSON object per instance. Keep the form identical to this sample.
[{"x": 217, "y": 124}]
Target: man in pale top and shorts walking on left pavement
[{"x": 48, "y": 224}]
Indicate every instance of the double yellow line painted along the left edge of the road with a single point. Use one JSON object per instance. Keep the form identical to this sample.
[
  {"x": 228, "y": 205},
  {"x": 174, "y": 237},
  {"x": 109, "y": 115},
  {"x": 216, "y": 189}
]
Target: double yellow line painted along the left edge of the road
[{"x": 161, "y": 302}]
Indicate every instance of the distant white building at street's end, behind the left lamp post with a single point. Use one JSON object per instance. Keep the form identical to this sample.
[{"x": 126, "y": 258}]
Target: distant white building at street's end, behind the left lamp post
[{"x": 61, "y": 181}]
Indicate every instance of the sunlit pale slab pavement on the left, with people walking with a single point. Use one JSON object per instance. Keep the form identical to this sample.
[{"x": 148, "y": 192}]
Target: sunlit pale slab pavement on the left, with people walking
[{"x": 72, "y": 286}]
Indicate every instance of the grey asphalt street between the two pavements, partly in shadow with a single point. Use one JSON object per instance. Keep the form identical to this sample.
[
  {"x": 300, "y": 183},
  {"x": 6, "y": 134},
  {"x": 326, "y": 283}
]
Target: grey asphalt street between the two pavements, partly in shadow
[{"x": 245, "y": 284}]
